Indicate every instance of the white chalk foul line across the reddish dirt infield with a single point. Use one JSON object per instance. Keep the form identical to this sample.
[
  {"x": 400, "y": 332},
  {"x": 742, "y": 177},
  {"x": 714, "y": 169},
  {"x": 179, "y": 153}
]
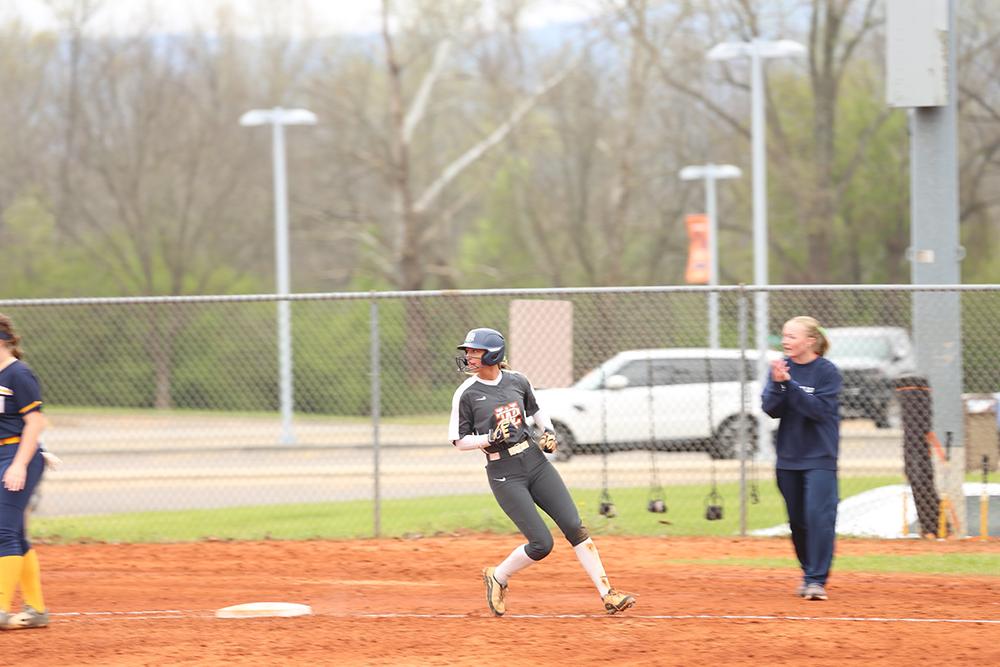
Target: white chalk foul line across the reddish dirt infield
[{"x": 158, "y": 614}]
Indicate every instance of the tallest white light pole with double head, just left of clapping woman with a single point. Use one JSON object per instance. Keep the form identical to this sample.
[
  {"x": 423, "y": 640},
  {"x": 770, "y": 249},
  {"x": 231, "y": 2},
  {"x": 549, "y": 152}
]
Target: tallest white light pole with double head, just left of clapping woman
[{"x": 758, "y": 50}]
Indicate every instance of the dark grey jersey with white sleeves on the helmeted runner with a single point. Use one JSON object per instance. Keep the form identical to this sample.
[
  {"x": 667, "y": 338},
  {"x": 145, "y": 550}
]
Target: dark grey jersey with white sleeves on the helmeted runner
[{"x": 478, "y": 405}]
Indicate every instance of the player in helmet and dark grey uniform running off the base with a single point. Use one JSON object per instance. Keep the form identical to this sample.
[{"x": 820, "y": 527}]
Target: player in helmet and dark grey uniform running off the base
[{"x": 488, "y": 413}]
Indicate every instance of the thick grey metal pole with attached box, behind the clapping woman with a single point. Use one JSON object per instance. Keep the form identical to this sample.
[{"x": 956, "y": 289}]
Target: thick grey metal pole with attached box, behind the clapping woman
[{"x": 922, "y": 76}]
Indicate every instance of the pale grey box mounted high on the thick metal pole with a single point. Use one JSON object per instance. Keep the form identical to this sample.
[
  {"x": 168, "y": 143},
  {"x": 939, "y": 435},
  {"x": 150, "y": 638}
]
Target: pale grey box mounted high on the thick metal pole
[{"x": 916, "y": 53}]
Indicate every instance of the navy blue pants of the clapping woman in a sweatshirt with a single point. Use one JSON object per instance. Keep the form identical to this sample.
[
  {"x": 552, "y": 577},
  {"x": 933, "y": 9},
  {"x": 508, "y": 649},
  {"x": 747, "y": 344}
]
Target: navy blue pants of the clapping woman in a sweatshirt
[{"x": 811, "y": 497}]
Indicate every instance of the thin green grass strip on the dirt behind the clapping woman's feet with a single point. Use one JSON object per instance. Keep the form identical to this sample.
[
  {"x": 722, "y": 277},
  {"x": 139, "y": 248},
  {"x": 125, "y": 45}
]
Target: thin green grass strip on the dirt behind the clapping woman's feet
[{"x": 986, "y": 564}]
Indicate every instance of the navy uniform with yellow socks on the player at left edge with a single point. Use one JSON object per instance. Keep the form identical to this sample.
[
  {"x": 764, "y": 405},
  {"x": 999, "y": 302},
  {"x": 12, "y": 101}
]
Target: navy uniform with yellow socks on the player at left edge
[{"x": 20, "y": 395}]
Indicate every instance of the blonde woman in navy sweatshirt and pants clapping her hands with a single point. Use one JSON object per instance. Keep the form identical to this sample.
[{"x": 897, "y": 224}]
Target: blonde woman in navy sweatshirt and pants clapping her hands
[{"x": 802, "y": 391}]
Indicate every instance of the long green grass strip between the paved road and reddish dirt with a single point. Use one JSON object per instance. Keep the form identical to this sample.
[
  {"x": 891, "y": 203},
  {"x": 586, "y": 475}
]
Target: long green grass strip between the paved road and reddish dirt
[{"x": 426, "y": 516}]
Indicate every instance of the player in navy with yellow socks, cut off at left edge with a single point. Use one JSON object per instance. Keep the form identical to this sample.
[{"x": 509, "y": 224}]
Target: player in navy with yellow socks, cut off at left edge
[{"x": 21, "y": 465}]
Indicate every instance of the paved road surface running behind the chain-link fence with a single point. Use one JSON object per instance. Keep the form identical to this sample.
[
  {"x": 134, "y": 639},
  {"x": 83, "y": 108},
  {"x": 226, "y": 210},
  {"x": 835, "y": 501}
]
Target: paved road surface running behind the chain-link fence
[{"x": 125, "y": 464}]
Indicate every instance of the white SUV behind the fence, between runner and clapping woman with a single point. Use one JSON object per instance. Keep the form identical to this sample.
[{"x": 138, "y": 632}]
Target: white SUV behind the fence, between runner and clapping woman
[{"x": 665, "y": 399}]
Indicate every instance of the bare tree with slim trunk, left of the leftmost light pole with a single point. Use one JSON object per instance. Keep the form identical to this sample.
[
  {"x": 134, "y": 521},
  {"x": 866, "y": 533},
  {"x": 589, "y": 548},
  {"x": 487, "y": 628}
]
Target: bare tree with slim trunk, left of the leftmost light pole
[{"x": 153, "y": 184}]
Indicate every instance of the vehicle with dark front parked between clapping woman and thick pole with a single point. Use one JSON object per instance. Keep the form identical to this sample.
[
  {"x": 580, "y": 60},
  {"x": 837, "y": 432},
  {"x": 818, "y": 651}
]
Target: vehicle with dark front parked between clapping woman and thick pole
[{"x": 870, "y": 359}]
